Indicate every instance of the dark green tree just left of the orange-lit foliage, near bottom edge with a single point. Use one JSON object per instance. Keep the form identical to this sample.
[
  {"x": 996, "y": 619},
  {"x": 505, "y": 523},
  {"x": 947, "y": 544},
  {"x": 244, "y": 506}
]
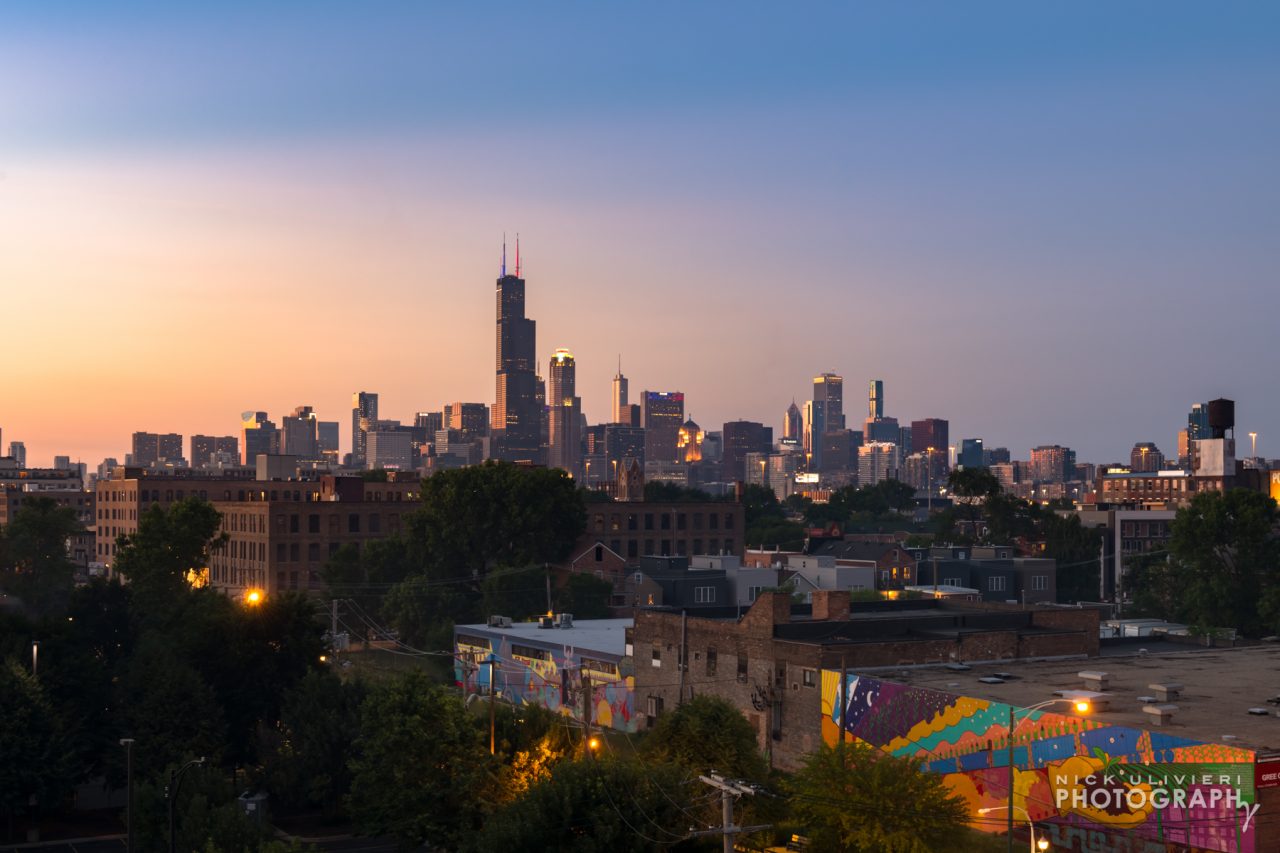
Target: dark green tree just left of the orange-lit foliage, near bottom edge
[{"x": 419, "y": 765}]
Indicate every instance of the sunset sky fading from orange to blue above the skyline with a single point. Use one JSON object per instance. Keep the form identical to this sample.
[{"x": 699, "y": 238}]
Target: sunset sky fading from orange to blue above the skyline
[{"x": 1048, "y": 223}]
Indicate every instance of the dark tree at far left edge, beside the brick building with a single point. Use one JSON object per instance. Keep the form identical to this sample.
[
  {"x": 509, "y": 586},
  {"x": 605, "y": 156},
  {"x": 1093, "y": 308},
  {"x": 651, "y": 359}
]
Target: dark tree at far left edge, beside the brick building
[{"x": 34, "y": 564}]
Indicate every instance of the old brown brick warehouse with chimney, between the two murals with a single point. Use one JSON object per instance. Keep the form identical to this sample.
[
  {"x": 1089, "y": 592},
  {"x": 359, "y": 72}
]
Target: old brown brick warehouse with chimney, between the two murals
[{"x": 769, "y": 664}]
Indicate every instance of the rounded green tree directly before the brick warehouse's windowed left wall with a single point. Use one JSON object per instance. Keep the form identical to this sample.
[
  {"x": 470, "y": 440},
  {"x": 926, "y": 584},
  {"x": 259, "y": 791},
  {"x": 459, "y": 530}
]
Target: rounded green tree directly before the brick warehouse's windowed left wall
[{"x": 707, "y": 733}]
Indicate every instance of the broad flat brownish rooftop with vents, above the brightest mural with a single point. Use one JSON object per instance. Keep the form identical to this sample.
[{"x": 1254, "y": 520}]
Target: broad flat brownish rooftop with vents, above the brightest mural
[{"x": 1219, "y": 688}]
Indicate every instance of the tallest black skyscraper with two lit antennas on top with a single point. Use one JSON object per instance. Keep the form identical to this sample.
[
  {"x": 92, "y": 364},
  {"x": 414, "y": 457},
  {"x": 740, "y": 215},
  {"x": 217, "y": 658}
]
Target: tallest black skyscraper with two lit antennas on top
[{"x": 518, "y": 418}]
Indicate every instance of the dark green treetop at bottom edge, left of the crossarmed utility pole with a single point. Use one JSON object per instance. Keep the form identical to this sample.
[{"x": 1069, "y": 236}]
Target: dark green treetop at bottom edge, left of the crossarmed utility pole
[{"x": 593, "y": 806}]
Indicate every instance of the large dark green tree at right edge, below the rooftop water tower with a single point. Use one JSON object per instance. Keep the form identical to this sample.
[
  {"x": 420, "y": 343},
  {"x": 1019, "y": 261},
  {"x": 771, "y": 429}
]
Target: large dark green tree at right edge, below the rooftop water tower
[{"x": 1223, "y": 568}]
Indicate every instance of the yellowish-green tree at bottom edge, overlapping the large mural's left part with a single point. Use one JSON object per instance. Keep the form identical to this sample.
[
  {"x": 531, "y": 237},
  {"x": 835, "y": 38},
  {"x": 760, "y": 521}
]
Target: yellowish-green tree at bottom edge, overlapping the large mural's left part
[{"x": 857, "y": 799}]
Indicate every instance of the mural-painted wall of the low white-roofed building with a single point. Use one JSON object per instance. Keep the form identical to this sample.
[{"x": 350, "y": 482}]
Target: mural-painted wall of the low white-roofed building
[{"x": 556, "y": 678}]
